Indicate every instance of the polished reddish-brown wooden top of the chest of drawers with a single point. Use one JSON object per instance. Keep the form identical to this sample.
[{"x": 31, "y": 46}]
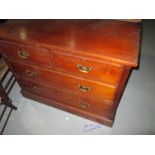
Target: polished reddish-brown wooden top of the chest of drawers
[{"x": 112, "y": 40}]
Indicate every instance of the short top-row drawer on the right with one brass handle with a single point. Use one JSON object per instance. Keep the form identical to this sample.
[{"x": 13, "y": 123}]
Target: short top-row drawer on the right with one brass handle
[{"x": 87, "y": 68}]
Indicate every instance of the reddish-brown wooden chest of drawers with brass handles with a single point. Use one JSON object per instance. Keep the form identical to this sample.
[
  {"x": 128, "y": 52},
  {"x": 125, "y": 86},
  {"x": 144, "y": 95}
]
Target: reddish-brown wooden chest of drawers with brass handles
[{"x": 80, "y": 66}]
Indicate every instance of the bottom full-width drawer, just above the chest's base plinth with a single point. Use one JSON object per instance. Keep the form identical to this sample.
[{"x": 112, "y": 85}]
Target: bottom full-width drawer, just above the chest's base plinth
[{"x": 76, "y": 101}]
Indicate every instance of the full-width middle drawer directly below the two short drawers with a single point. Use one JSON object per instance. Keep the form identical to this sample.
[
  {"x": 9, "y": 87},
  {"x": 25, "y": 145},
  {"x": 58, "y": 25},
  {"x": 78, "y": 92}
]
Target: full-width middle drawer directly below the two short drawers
[{"x": 82, "y": 87}]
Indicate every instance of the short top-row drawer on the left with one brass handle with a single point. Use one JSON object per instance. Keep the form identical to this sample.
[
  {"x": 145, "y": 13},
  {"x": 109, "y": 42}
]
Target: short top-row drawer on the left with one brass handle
[{"x": 26, "y": 54}]
